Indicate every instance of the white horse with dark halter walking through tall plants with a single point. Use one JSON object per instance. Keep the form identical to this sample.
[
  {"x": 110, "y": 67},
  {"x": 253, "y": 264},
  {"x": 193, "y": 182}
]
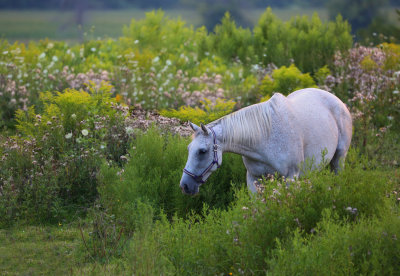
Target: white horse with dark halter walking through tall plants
[{"x": 273, "y": 136}]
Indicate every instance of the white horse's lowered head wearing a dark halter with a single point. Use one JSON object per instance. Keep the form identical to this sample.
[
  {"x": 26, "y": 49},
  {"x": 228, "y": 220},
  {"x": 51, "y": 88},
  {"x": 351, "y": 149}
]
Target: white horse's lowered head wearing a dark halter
[{"x": 205, "y": 156}]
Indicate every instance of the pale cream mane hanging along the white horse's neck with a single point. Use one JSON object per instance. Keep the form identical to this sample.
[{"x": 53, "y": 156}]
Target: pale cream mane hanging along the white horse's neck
[{"x": 248, "y": 125}]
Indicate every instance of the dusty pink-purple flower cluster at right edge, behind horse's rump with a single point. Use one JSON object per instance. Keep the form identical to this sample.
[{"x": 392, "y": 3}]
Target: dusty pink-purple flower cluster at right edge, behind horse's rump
[{"x": 360, "y": 79}]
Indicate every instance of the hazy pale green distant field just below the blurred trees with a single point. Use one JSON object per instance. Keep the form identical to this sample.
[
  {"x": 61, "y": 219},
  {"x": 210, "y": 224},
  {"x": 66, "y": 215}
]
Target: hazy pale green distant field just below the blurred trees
[{"x": 58, "y": 25}]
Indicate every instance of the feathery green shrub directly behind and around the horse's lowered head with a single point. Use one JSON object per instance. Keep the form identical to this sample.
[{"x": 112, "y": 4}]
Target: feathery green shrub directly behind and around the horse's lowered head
[{"x": 152, "y": 175}]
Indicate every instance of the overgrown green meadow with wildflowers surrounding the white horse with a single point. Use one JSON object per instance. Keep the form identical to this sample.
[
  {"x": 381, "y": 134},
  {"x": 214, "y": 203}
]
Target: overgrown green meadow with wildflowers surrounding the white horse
[{"x": 94, "y": 136}]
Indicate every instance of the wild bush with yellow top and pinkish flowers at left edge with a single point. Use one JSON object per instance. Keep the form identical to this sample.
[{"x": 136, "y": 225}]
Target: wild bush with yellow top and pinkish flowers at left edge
[{"x": 51, "y": 166}]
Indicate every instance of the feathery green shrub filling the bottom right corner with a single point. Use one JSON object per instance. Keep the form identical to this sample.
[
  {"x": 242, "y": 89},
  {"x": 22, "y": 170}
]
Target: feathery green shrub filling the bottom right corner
[{"x": 368, "y": 247}]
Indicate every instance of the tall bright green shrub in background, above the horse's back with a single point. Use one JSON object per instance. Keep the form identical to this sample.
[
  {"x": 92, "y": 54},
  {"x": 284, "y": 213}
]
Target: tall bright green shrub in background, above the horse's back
[{"x": 310, "y": 43}]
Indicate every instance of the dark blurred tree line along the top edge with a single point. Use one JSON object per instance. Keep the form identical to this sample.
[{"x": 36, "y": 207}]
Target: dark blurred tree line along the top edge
[{"x": 365, "y": 16}]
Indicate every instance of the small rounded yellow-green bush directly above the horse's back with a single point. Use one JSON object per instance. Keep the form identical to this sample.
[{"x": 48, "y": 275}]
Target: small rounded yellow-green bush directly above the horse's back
[{"x": 285, "y": 80}]
